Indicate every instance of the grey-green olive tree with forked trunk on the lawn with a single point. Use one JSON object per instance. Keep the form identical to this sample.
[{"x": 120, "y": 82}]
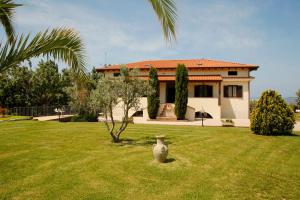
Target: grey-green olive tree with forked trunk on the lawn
[{"x": 125, "y": 92}]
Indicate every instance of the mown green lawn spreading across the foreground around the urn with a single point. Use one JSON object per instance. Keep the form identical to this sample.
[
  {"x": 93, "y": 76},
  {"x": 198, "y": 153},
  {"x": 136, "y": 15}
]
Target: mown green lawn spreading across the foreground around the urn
[{"x": 52, "y": 160}]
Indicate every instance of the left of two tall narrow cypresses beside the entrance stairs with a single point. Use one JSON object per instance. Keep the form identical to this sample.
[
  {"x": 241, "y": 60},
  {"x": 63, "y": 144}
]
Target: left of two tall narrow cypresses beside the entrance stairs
[{"x": 153, "y": 98}]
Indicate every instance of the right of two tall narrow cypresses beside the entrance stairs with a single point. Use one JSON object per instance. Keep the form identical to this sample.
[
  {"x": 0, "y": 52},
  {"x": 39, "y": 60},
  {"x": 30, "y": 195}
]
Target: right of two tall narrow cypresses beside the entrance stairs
[{"x": 181, "y": 91}]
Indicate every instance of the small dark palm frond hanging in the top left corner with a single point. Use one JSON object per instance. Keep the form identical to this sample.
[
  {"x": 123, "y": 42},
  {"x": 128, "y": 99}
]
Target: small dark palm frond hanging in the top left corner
[{"x": 7, "y": 8}]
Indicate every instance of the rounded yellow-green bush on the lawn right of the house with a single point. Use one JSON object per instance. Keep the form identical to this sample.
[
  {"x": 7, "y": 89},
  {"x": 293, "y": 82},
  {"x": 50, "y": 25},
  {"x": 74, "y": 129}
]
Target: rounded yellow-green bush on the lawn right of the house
[{"x": 272, "y": 115}]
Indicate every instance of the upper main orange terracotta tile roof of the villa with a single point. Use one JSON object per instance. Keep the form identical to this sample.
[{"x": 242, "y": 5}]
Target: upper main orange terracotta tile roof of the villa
[{"x": 193, "y": 63}]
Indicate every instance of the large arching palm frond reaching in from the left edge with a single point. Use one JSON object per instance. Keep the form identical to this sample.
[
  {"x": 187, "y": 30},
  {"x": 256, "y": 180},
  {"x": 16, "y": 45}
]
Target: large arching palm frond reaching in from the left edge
[{"x": 62, "y": 44}]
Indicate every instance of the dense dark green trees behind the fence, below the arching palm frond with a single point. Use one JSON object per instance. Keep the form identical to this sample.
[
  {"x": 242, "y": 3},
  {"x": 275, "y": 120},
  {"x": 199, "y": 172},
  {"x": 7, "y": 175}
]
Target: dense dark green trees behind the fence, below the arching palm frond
[{"x": 23, "y": 87}]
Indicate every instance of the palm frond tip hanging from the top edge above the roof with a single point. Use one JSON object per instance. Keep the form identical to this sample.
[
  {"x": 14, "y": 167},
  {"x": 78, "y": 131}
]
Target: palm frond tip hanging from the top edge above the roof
[{"x": 167, "y": 14}]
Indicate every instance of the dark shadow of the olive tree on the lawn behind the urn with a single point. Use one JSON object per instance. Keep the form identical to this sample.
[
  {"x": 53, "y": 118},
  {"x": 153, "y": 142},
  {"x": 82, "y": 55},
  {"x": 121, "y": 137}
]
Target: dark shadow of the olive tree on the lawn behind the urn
[{"x": 144, "y": 141}]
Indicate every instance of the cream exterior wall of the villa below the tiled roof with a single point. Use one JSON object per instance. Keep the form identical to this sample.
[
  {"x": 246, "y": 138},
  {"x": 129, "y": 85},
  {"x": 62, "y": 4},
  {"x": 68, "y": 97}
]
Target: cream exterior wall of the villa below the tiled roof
[{"x": 232, "y": 108}]
